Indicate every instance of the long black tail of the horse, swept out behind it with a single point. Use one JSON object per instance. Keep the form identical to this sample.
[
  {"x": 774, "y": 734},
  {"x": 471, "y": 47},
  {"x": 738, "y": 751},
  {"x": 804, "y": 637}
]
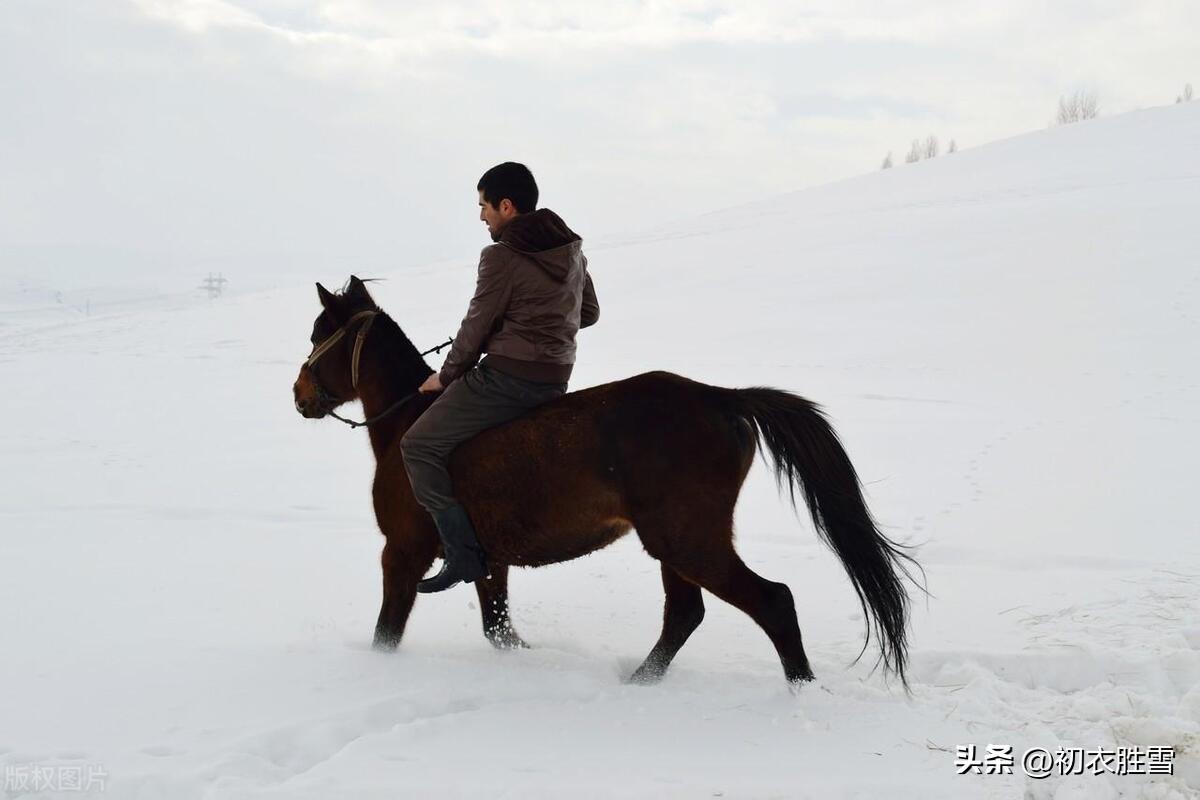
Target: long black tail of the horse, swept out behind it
[{"x": 807, "y": 454}]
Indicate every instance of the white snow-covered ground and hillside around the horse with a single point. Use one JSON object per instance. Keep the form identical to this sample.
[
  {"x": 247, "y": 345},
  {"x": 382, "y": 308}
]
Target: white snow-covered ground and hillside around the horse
[{"x": 1007, "y": 341}]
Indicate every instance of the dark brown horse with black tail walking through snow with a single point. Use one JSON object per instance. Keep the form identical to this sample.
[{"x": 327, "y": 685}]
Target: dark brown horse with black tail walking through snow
[{"x": 657, "y": 454}]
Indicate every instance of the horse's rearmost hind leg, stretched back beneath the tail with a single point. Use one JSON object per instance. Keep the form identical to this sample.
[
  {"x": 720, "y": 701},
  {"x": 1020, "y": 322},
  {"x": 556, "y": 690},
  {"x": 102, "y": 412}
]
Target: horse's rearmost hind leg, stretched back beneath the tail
[{"x": 706, "y": 557}]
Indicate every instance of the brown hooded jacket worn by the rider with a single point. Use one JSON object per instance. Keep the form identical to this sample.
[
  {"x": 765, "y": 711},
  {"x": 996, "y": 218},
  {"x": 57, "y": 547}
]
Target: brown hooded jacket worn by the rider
[{"x": 532, "y": 296}]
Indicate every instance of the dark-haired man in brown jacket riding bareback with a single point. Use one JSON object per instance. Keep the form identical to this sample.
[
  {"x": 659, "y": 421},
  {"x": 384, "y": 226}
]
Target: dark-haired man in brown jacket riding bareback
[{"x": 533, "y": 294}]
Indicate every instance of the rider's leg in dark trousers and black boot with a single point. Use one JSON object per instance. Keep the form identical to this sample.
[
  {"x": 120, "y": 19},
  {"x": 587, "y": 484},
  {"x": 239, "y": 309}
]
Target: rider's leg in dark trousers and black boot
[{"x": 481, "y": 400}]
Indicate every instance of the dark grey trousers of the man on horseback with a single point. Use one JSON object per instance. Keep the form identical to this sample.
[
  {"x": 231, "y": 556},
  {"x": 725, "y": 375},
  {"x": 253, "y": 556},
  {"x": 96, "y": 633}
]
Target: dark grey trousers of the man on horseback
[{"x": 482, "y": 399}]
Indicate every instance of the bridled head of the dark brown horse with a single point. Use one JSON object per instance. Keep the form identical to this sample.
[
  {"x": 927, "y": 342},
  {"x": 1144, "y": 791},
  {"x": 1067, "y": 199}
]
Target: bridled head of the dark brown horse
[{"x": 328, "y": 378}]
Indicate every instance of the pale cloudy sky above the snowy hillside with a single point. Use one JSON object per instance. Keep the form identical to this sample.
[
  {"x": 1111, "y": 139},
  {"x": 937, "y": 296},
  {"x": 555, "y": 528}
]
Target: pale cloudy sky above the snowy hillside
[{"x": 172, "y": 137}]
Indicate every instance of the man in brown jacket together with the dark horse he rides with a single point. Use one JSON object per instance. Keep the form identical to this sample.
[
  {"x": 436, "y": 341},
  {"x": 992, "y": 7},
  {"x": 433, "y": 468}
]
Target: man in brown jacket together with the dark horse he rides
[{"x": 657, "y": 454}]
